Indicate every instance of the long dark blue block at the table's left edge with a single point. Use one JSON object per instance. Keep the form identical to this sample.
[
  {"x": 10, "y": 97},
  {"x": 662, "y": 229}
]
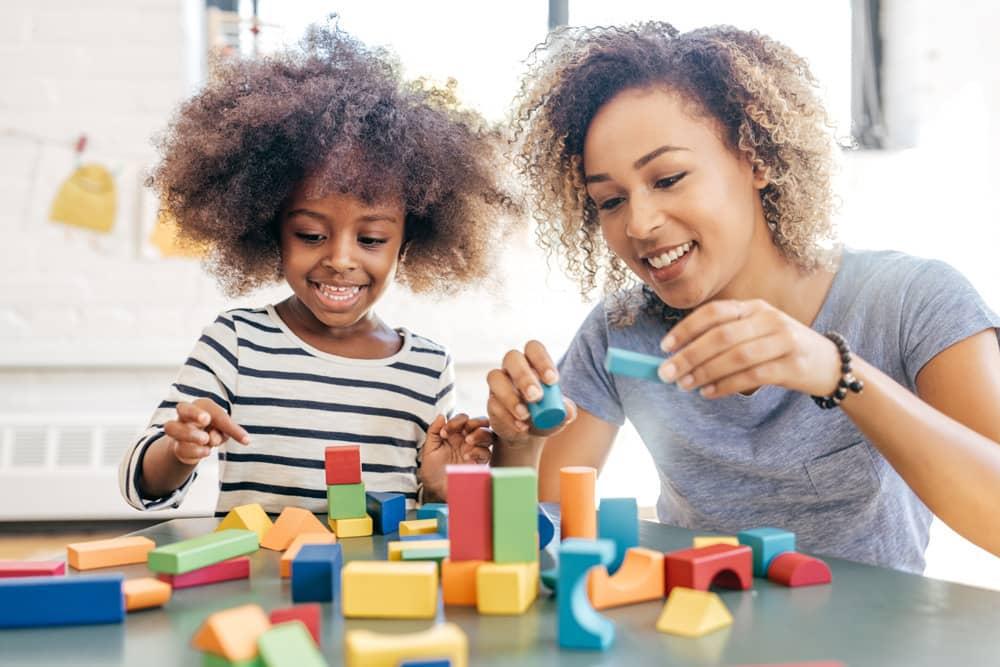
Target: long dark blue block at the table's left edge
[{"x": 27, "y": 602}]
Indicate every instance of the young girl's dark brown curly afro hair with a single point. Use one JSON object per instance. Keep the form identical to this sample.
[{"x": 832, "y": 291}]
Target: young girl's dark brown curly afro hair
[{"x": 340, "y": 114}]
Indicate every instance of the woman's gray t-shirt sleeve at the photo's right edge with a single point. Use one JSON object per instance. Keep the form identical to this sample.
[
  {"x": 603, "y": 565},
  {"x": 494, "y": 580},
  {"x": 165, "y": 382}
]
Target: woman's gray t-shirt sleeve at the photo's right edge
[{"x": 940, "y": 308}]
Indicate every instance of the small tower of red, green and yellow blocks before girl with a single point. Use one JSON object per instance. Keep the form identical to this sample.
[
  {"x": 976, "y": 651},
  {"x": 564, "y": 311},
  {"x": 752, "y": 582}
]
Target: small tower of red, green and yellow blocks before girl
[{"x": 345, "y": 492}]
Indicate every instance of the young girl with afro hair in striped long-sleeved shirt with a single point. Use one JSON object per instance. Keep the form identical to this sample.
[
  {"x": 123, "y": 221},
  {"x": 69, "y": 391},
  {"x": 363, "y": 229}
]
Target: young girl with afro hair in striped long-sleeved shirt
[{"x": 322, "y": 168}]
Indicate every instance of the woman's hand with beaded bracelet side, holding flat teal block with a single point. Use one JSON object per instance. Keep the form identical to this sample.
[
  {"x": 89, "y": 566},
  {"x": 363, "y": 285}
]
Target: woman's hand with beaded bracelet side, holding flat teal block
[{"x": 725, "y": 347}]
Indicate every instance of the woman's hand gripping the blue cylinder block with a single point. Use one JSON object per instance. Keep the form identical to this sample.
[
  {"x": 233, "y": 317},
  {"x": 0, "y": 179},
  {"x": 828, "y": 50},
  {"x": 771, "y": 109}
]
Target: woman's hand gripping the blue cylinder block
[{"x": 517, "y": 384}]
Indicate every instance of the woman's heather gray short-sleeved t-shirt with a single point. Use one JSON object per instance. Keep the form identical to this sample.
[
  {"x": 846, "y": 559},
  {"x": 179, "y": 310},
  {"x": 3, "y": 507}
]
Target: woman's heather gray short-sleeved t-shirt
[{"x": 774, "y": 458}]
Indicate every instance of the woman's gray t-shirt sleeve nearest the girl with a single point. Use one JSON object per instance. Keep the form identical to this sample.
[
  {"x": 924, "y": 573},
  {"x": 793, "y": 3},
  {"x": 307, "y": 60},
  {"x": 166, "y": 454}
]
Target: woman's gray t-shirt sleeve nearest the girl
[{"x": 582, "y": 376}]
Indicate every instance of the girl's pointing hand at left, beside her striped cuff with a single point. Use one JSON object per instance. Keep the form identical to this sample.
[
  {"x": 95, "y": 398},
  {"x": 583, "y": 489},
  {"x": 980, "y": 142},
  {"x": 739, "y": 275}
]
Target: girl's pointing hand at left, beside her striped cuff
[{"x": 200, "y": 426}]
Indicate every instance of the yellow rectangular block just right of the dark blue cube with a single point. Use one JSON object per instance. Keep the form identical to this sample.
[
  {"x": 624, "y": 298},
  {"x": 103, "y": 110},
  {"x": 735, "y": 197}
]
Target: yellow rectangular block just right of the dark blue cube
[{"x": 387, "y": 589}]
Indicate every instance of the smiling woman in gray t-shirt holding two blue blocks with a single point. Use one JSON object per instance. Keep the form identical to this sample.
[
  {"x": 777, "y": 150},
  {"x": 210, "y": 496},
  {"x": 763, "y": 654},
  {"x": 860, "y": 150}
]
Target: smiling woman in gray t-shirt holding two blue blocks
[{"x": 693, "y": 171}]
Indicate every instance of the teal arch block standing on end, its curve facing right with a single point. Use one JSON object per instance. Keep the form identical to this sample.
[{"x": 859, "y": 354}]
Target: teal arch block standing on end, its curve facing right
[{"x": 579, "y": 625}]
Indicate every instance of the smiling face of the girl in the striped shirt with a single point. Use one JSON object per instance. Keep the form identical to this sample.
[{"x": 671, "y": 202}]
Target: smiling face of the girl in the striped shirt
[{"x": 339, "y": 255}]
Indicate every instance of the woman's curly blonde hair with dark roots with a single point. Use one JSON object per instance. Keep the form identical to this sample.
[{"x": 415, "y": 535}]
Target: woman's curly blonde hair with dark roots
[{"x": 761, "y": 94}]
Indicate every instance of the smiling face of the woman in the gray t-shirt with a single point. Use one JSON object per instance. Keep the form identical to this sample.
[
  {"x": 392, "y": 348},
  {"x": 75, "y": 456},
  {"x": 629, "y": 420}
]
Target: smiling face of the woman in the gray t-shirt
[{"x": 674, "y": 202}]
